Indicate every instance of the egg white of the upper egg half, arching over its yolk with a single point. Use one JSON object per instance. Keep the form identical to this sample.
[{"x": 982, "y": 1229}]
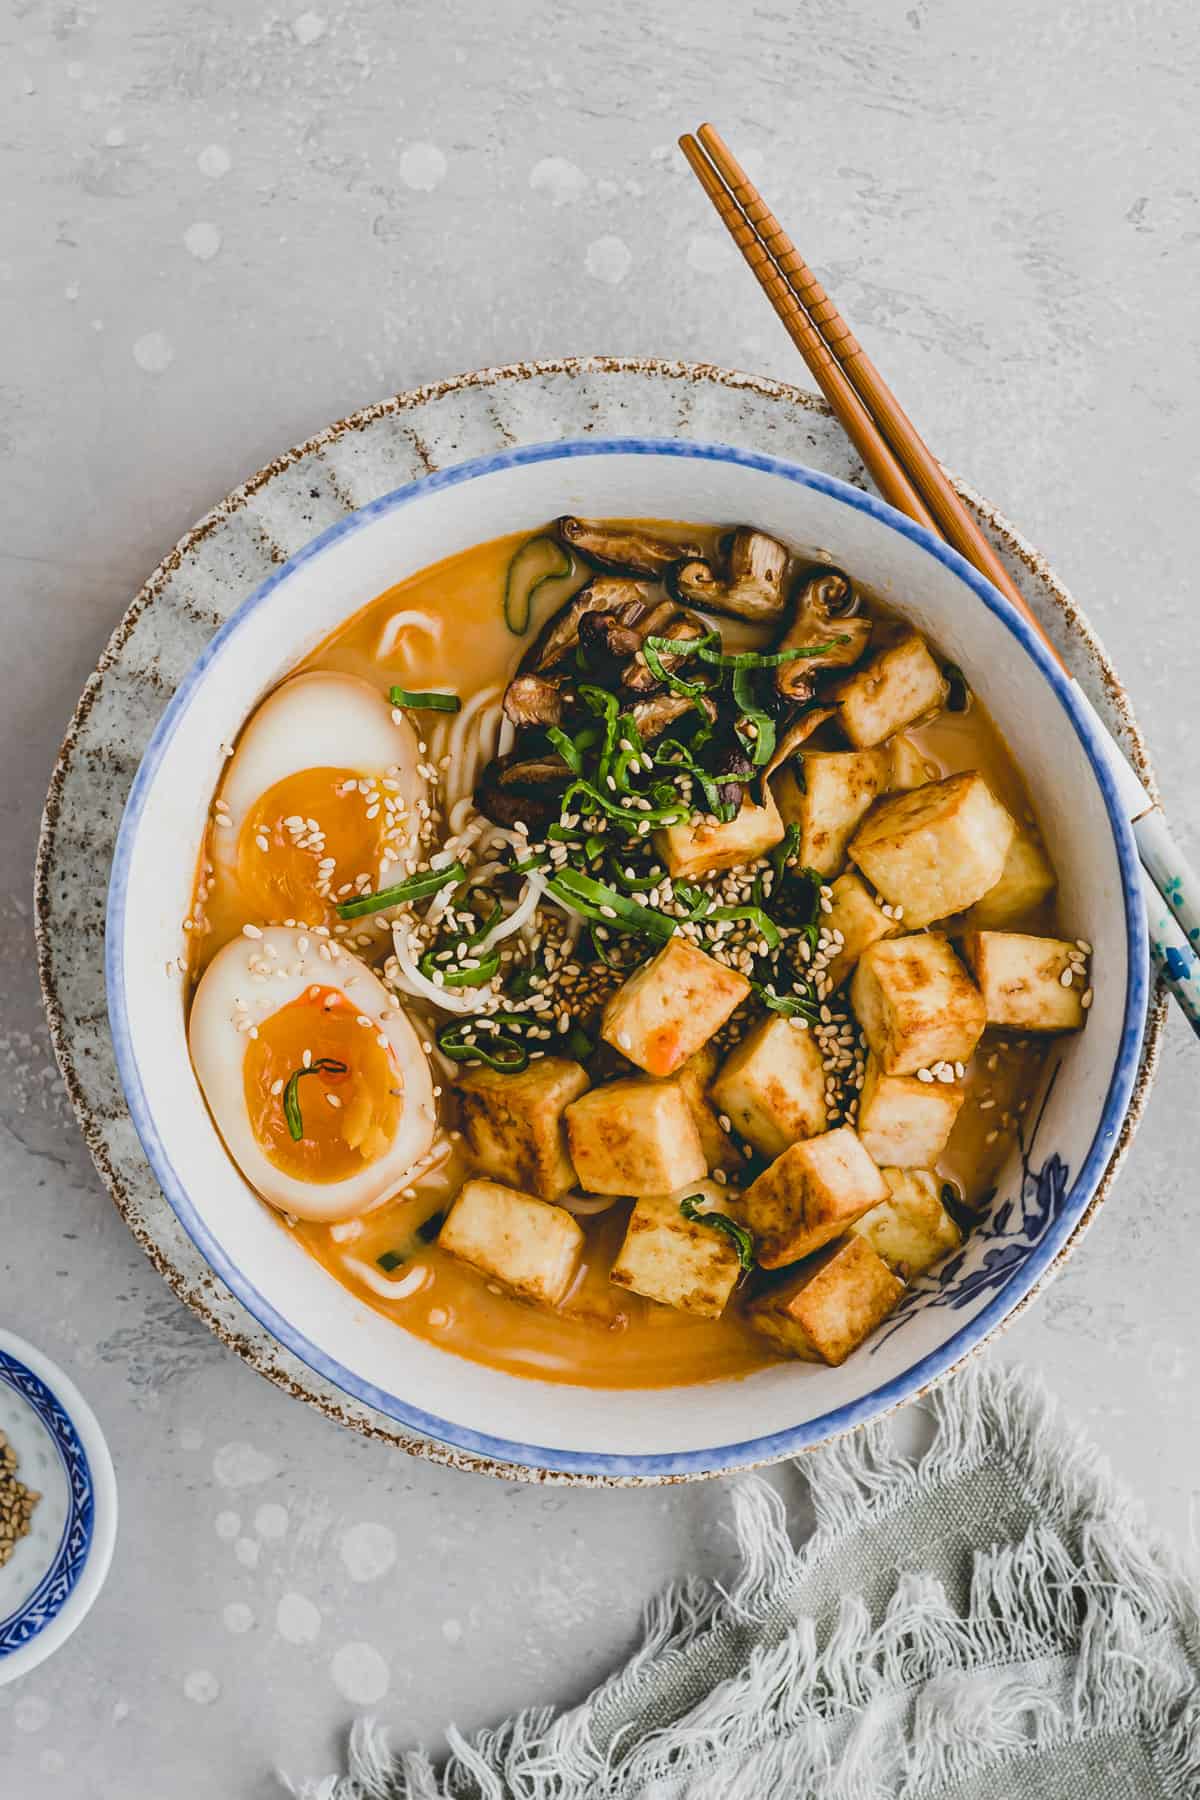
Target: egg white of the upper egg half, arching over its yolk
[{"x": 321, "y": 721}]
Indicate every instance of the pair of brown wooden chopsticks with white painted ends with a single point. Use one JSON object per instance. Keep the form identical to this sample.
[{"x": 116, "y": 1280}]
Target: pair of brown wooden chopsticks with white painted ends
[{"x": 911, "y": 478}]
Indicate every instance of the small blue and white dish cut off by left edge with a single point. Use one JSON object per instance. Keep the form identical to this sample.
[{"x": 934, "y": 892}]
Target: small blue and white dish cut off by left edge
[{"x": 58, "y": 1569}]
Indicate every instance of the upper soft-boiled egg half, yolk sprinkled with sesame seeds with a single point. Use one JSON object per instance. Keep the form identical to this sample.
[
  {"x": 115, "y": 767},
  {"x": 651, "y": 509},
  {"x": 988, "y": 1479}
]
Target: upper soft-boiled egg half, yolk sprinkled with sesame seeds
[{"x": 319, "y": 800}]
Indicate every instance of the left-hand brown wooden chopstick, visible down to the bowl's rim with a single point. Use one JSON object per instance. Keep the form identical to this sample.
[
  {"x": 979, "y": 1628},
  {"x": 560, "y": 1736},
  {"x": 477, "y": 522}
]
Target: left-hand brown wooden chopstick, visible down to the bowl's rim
[{"x": 834, "y": 384}]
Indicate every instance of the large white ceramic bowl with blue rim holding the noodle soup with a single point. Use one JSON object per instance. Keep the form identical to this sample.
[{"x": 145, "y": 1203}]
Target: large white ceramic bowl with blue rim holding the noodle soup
[{"x": 677, "y": 1432}]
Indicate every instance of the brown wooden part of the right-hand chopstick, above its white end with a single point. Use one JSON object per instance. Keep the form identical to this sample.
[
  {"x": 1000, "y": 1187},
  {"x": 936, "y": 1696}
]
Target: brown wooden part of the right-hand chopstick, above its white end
[{"x": 909, "y": 451}]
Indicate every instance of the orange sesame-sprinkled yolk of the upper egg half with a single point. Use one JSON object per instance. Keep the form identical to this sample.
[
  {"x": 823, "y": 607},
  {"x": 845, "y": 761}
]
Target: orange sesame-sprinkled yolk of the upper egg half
[{"x": 312, "y": 836}]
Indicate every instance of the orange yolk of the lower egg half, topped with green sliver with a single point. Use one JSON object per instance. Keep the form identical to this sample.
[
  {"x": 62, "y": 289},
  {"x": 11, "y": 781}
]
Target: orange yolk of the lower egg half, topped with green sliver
[{"x": 341, "y": 1077}]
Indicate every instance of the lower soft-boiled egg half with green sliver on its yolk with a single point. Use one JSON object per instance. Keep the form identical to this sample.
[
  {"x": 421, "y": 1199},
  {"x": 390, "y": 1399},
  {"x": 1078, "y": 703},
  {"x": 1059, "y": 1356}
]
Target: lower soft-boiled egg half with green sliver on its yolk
[{"x": 316, "y": 1079}]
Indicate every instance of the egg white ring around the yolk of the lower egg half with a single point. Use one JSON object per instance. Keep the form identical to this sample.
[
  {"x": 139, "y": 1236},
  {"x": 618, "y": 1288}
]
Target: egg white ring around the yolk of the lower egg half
[{"x": 247, "y": 982}]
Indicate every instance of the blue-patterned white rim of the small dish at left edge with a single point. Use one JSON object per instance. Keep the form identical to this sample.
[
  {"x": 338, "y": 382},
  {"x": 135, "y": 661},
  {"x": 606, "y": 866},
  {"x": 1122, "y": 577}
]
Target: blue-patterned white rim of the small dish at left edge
[{"x": 84, "y": 1554}]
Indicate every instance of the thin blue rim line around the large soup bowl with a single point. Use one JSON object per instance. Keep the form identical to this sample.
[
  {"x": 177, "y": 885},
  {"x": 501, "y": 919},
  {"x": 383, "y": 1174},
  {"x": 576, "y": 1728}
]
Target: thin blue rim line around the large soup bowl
[{"x": 890, "y": 1394}]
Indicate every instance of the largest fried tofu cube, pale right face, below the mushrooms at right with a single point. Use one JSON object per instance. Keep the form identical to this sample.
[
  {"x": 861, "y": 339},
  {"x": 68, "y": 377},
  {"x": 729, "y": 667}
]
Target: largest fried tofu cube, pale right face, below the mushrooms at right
[{"x": 936, "y": 850}]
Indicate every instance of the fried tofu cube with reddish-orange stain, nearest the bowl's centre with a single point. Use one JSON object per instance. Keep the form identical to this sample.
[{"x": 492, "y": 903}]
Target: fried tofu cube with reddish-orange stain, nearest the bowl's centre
[{"x": 672, "y": 1007}]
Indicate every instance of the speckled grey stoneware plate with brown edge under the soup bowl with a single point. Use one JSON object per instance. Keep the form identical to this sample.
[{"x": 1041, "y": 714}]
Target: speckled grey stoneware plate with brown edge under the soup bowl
[{"x": 226, "y": 559}]
